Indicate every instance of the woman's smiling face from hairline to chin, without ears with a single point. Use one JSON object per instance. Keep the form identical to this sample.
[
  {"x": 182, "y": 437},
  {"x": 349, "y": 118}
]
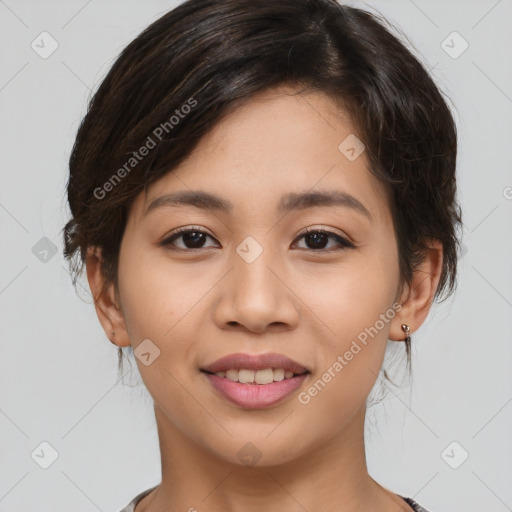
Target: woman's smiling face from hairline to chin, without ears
[{"x": 259, "y": 271}]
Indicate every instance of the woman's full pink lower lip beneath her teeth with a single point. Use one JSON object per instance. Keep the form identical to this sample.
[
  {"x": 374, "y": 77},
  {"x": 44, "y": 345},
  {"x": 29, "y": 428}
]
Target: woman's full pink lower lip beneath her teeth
[{"x": 255, "y": 396}]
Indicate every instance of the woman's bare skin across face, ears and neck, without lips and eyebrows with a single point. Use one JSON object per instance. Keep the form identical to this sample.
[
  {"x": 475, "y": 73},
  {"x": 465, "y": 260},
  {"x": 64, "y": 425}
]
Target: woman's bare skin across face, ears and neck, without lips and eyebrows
[{"x": 304, "y": 302}]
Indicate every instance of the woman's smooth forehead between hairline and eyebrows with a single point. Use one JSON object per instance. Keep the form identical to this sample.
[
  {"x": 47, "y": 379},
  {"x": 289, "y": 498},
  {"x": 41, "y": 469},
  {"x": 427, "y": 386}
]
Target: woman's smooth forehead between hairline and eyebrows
[{"x": 280, "y": 141}]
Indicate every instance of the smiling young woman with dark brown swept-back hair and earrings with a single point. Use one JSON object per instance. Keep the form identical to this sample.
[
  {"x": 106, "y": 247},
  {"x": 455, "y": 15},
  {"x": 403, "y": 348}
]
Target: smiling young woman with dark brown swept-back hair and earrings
[{"x": 263, "y": 194}]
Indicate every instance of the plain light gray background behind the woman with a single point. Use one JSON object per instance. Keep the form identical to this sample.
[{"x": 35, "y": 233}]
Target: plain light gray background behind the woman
[{"x": 58, "y": 380}]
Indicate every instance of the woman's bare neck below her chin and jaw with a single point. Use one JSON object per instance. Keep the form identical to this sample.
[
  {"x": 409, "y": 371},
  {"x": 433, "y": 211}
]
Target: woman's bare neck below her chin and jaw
[{"x": 331, "y": 476}]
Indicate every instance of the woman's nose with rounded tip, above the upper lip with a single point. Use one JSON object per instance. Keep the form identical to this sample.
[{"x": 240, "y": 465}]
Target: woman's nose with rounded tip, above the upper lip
[{"x": 256, "y": 296}]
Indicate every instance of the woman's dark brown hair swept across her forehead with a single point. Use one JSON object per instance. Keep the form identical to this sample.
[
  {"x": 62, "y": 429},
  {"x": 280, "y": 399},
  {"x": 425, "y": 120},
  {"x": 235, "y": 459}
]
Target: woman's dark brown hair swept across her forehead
[{"x": 202, "y": 60}]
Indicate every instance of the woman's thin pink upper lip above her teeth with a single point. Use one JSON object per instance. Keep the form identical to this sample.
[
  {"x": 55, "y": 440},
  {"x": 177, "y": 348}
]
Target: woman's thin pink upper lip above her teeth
[{"x": 255, "y": 362}]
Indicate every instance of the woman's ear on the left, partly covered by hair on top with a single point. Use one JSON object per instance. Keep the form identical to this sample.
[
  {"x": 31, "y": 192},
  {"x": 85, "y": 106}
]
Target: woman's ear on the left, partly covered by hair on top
[{"x": 106, "y": 303}]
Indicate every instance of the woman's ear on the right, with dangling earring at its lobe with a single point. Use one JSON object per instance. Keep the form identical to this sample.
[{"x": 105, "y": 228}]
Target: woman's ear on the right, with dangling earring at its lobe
[{"x": 417, "y": 297}]
